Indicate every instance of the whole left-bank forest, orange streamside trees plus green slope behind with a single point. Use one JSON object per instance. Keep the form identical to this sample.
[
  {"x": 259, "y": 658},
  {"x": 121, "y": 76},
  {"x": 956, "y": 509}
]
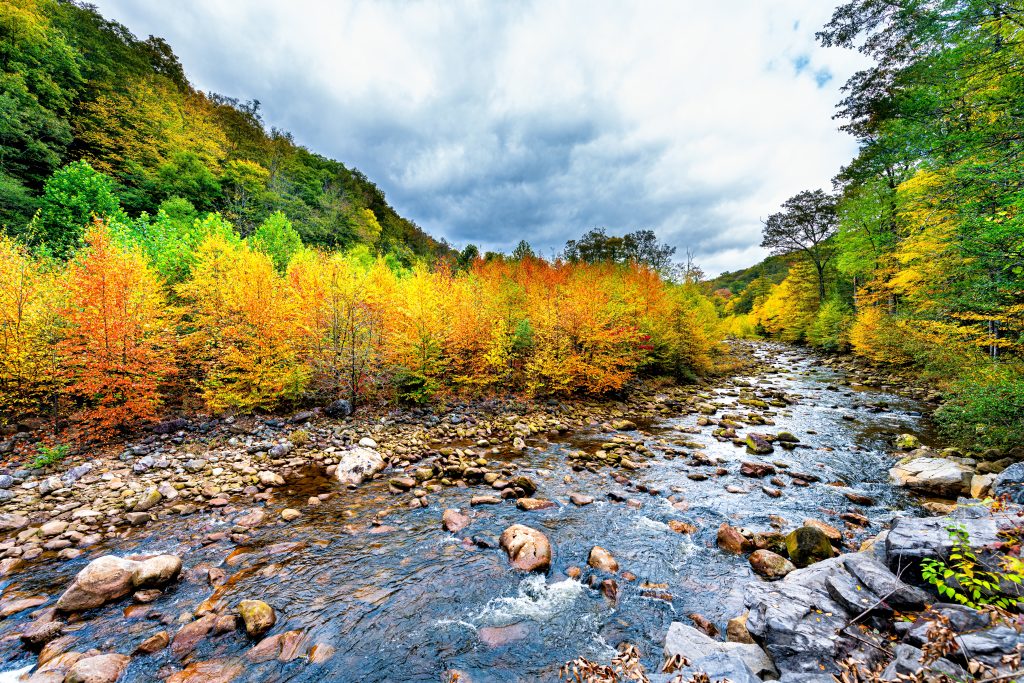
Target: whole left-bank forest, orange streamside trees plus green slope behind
[{"x": 165, "y": 252}]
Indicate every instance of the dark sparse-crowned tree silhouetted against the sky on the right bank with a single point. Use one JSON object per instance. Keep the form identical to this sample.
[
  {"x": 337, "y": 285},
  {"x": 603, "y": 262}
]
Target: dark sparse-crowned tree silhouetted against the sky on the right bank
[{"x": 806, "y": 225}]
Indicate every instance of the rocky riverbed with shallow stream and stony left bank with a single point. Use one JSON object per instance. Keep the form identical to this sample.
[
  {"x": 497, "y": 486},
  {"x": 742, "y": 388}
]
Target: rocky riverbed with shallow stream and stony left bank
[{"x": 487, "y": 542}]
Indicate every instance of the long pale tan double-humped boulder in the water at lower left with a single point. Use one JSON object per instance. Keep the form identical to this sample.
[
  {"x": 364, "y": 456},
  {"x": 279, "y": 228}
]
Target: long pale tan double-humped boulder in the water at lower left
[{"x": 110, "y": 578}]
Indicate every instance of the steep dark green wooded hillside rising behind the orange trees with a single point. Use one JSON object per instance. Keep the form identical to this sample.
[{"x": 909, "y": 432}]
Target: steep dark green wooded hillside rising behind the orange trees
[{"x": 78, "y": 87}]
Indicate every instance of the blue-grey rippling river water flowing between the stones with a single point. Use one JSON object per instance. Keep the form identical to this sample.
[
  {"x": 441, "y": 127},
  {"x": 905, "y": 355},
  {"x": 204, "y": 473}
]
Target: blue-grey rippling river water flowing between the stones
[{"x": 408, "y": 602}]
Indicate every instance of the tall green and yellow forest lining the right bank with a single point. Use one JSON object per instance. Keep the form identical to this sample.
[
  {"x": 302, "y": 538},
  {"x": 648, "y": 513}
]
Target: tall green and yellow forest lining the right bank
[{"x": 916, "y": 259}]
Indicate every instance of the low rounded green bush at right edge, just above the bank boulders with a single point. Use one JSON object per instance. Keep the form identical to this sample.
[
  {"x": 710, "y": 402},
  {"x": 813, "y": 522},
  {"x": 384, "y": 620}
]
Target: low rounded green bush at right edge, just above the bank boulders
[{"x": 987, "y": 409}]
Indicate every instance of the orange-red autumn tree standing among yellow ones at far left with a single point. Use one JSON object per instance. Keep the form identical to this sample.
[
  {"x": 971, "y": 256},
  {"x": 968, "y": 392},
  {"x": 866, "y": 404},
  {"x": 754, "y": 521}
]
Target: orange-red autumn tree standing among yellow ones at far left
[{"x": 120, "y": 344}]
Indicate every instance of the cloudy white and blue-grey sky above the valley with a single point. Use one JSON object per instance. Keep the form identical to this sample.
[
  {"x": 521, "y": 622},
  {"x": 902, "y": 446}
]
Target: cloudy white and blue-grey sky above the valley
[{"x": 491, "y": 122}]
